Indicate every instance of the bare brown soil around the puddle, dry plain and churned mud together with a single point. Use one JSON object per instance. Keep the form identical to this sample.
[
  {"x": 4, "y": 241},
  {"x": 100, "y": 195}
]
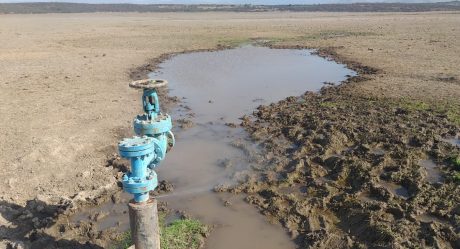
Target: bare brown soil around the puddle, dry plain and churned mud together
[{"x": 63, "y": 107}]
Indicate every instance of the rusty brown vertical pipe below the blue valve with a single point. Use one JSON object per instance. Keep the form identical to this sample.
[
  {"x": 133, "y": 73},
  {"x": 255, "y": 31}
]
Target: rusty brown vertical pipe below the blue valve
[{"x": 143, "y": 218}]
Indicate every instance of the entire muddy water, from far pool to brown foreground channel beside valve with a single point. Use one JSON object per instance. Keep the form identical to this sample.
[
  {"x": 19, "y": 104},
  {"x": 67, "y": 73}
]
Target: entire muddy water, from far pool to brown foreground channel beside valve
[{"x": 218, "y": 88}]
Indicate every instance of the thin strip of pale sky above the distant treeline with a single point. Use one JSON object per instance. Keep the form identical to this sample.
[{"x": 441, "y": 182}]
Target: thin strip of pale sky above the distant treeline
[{"x": 221, "y": 1}]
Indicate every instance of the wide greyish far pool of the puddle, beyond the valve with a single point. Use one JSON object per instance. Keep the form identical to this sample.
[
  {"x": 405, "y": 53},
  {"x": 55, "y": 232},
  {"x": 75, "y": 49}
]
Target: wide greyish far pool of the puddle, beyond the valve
[{"x": 227, "y": 84}]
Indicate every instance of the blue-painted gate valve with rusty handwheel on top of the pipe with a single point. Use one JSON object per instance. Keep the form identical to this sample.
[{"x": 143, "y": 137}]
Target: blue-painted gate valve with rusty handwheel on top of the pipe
[{"x": 146, "y": 150}]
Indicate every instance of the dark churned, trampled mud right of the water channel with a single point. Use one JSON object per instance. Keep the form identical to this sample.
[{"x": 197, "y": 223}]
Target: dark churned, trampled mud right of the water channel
[{"x": 337, "y": 164}]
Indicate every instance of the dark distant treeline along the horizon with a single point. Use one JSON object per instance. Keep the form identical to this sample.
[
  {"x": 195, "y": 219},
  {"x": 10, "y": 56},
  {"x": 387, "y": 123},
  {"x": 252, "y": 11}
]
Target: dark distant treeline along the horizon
[{"x": 36, "y": 8}]
